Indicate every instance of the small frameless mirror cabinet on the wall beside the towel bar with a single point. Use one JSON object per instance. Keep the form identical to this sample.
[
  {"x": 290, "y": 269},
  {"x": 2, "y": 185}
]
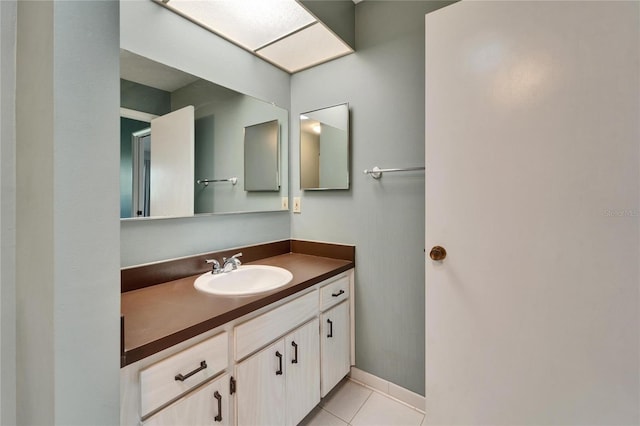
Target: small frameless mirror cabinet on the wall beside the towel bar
[{"x": 324, "y": 148}]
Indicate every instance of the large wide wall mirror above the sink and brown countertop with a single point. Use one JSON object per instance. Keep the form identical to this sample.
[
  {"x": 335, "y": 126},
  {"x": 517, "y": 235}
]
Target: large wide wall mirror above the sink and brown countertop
[{"x": 185, "y": 149}]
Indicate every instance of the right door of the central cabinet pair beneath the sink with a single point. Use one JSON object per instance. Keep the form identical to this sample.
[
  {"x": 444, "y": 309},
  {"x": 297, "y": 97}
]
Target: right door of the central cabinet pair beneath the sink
[{"x": 302, "y": 376}]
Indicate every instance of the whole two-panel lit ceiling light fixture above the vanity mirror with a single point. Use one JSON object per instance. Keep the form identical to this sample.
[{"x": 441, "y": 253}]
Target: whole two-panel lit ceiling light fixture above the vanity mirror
[{"x": 282, "y": 32}]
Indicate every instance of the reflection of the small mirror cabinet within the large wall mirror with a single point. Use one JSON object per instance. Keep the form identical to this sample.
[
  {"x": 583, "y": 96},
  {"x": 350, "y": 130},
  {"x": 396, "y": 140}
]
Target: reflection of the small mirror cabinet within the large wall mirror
[{"x": 261, "y": 155}]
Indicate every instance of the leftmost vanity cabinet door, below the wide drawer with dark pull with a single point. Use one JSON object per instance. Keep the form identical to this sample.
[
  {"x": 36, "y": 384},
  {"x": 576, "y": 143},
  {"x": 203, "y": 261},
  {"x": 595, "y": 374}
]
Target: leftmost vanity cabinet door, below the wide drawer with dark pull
[{"x": 206, "y": 406}]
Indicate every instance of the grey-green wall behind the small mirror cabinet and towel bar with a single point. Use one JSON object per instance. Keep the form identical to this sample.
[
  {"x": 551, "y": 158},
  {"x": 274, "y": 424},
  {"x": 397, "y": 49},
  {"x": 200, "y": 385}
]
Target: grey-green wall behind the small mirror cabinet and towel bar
[{"x": 384, "y": 85}]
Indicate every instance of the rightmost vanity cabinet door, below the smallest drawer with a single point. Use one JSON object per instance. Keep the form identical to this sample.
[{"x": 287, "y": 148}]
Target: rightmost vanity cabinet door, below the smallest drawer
[{"x": 335, "y": 346}]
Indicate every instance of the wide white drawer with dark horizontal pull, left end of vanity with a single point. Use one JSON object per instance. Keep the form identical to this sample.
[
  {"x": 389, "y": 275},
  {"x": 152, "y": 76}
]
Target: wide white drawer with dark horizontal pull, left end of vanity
[{"x": 173, "y": 376}]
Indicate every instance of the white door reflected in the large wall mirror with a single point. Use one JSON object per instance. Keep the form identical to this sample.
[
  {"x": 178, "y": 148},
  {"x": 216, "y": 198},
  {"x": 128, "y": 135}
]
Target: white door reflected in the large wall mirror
[{"x": 172, "y": 163}]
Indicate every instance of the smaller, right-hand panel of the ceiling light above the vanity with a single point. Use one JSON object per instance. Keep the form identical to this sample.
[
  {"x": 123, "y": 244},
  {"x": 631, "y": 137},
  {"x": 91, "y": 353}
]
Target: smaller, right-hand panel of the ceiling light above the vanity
[{"x": 306, "y": 48}]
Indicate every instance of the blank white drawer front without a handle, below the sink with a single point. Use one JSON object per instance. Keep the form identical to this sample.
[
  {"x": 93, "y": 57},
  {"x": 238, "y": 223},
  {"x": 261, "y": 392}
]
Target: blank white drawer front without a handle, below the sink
[{"x": 258, "y": 332}]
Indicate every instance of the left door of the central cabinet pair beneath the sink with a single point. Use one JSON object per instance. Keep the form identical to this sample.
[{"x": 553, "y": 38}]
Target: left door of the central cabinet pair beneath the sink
[{"x": 260, "y": 390}]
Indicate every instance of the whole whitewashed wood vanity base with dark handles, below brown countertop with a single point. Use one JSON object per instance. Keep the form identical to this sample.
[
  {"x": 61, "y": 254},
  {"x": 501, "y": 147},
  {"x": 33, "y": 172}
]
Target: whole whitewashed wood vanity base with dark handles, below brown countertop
[{"x": 269, "y": 367}]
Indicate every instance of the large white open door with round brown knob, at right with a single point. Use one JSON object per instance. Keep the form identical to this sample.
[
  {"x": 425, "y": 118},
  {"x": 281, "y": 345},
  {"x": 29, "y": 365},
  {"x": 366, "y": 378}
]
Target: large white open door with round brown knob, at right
[{"x": 532, "y": 133}]
